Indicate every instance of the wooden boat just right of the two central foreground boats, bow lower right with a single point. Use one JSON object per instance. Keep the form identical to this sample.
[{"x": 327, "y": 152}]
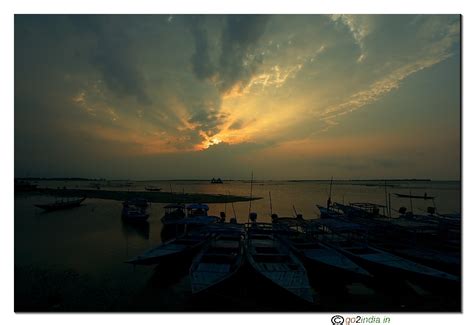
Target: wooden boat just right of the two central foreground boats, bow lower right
[{"x": 321, "y": 257}]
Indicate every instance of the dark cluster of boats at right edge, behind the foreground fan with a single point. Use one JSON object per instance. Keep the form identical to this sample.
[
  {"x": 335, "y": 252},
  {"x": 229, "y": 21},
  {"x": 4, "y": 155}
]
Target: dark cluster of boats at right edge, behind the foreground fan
[{"x": 426, "y": 239}]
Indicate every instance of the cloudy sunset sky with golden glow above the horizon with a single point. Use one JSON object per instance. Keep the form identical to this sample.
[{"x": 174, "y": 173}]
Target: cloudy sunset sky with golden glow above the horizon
[{"x": 284, "y": 96}]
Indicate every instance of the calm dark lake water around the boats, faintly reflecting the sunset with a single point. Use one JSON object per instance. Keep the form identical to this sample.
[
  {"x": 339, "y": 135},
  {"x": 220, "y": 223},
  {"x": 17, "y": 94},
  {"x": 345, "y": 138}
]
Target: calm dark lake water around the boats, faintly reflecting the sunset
[{"x": 74, "y": 259}]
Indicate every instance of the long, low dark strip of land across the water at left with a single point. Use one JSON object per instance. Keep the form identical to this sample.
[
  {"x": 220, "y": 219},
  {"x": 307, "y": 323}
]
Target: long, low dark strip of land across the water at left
[{"x": 156, "y": 197}]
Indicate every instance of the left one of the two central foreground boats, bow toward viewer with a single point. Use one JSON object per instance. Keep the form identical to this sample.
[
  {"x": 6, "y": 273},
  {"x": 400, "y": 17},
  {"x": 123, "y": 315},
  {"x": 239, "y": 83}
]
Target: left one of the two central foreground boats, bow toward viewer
[{"x": 219, "y": 260}]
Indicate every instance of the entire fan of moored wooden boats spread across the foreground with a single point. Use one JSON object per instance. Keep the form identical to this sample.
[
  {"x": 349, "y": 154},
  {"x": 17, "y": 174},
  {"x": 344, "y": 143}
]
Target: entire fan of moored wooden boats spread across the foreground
[{"x": 287, "y": 253}]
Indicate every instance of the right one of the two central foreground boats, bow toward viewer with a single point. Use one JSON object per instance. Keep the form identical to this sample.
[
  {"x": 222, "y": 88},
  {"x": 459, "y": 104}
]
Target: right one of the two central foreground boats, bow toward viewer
[{"x": 273, "y": 260}]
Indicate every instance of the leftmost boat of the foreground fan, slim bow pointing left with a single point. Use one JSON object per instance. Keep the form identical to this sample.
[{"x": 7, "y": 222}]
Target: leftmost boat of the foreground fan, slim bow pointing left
[{"x": 185, "y": 245}]
